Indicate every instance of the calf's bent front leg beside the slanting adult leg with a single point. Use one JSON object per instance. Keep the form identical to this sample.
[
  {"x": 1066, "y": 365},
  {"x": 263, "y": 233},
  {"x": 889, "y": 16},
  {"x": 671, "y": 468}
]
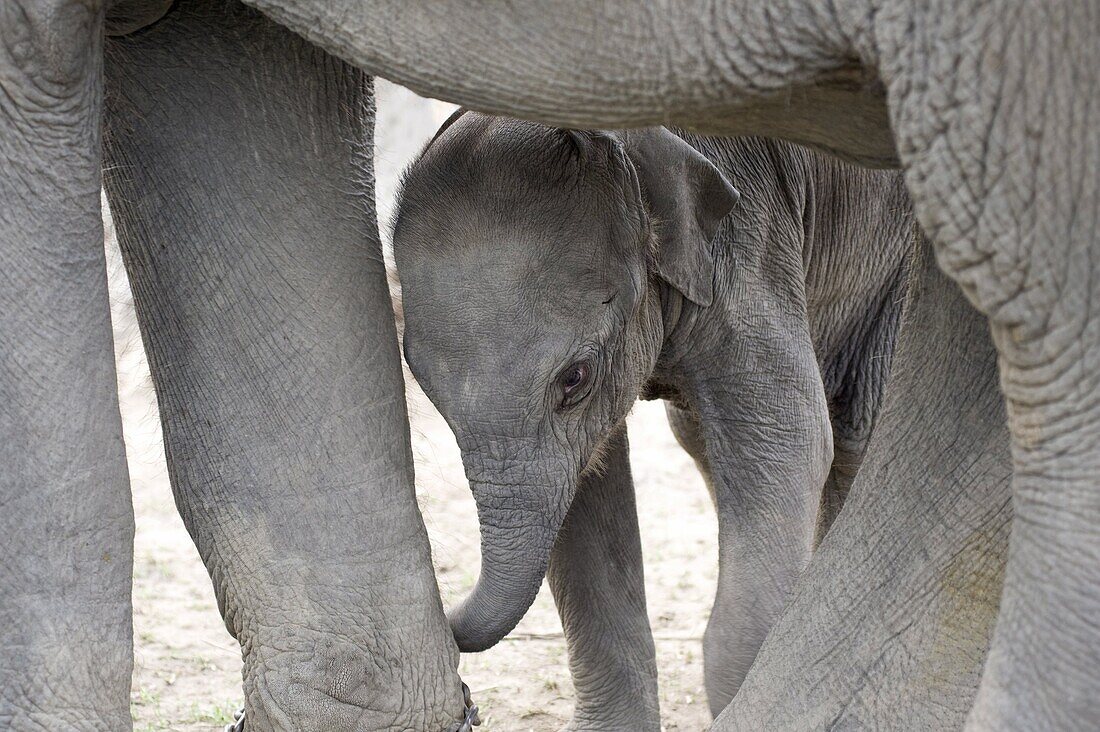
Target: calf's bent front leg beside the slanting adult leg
[{"x": 765, "y": 424}]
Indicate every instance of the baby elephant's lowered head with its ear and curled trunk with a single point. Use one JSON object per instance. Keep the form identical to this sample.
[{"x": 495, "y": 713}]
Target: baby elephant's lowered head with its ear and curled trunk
[{"x": 532, "y": 261}]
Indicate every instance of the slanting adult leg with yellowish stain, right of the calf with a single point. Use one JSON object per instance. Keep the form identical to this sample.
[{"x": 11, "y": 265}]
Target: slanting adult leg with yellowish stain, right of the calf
[{"x": 890, "y": 626}]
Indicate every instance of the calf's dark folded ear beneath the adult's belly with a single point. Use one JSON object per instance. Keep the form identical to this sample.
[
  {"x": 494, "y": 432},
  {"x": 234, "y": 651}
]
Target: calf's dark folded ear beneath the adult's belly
[{"x": 689, "y": 198}]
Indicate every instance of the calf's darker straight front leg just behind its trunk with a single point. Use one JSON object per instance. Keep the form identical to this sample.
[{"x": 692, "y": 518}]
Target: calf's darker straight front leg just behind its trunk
[{"x": 597, "y": 577}]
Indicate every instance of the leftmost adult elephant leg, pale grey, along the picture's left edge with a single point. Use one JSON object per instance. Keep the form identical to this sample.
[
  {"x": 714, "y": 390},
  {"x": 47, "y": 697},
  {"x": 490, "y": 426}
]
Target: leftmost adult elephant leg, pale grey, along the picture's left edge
[{"x": 67, "y": 521}]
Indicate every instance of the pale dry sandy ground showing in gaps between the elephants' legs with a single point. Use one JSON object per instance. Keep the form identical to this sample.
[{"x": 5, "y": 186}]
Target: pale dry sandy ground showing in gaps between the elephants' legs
[{"x": 188, "y": 670}]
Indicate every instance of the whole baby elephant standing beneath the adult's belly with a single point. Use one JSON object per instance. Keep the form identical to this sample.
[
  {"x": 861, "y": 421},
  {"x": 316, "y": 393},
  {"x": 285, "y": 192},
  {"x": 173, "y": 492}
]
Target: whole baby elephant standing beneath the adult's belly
[{"x": 553, "y": 277}]
